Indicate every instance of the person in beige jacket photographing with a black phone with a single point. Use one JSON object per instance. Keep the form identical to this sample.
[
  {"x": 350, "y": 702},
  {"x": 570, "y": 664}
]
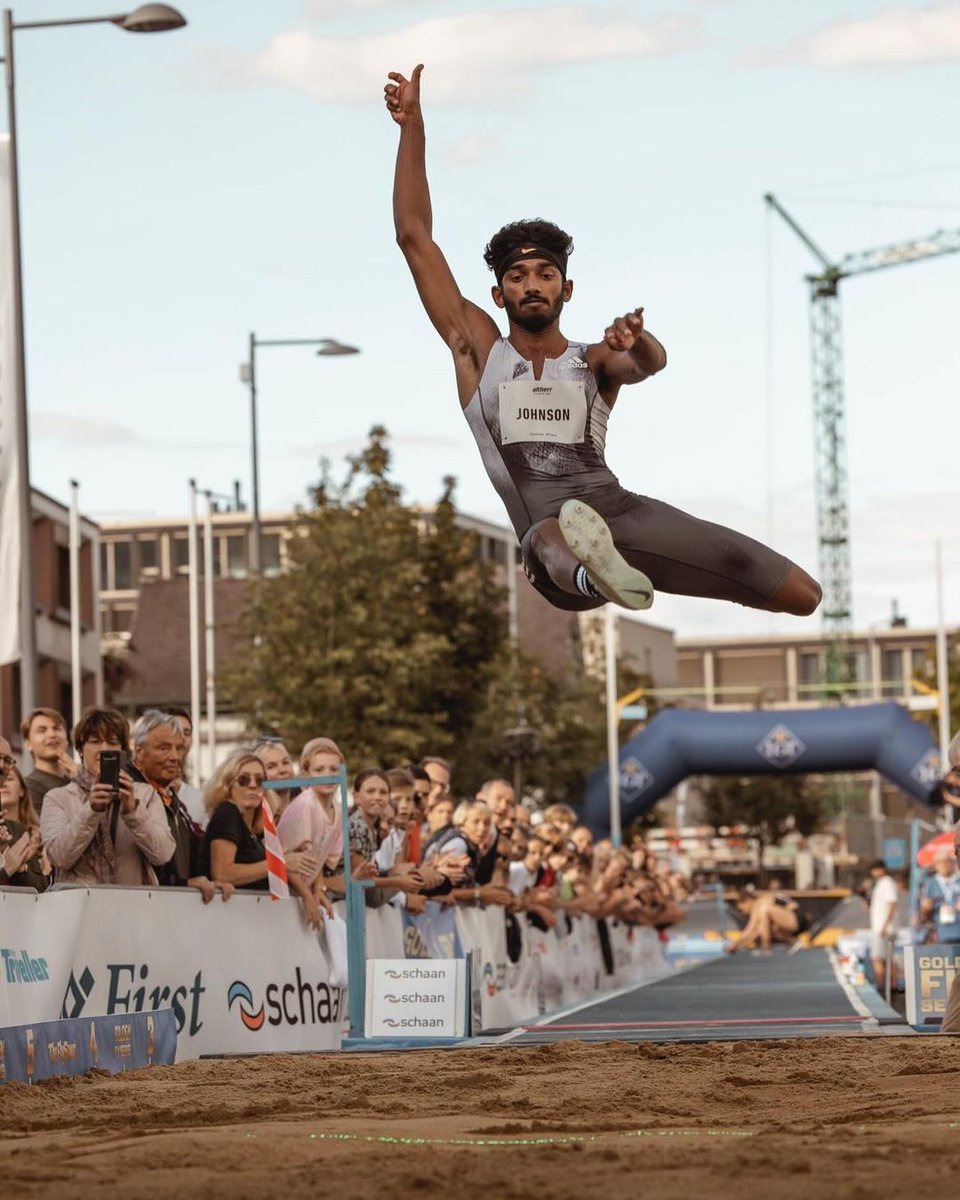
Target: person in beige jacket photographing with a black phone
[{"x": 94, "y": 835}]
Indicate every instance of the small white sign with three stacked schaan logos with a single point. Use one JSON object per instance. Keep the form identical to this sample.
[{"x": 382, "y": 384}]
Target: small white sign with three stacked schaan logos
[{"x": 412, "y": 999}]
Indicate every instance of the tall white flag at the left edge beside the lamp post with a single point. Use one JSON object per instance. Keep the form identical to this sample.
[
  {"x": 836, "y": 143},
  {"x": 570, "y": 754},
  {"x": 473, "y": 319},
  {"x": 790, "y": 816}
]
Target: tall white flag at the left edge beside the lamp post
[{"x": 10, "y": 507}]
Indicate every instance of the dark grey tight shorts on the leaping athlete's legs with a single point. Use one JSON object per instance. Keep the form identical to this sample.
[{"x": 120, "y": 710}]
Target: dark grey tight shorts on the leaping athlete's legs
[{"x": 680, "y": 554}]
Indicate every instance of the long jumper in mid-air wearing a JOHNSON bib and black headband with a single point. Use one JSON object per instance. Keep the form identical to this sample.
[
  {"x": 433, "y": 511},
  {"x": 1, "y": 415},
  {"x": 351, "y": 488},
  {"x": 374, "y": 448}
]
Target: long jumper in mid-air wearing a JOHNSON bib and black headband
[{"x": 538, "y": 406}]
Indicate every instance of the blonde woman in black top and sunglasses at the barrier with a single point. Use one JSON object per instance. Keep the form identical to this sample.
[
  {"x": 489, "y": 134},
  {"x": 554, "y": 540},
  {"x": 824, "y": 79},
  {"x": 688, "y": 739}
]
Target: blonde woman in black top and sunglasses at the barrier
[{"x": 233, "y": 854}]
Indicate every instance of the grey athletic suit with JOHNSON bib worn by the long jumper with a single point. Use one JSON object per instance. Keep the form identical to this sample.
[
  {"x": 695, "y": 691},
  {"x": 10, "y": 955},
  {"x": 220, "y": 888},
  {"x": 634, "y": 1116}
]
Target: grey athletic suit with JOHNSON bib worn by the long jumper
[{"x": 542, "y": 448}]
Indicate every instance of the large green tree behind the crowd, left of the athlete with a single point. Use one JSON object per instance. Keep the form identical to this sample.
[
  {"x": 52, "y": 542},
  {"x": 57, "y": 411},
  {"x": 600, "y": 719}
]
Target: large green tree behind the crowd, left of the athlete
[{"x": 389, "y": 635}]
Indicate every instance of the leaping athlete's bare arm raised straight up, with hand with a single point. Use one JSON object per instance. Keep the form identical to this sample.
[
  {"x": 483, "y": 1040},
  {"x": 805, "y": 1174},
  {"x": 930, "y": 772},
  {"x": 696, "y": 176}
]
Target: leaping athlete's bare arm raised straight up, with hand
[{"x": 467, "y": 329}]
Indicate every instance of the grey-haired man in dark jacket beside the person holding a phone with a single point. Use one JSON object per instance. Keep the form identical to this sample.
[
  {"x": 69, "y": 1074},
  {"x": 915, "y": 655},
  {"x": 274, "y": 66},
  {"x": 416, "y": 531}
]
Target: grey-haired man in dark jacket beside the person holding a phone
[{"x": 158, "y": 745}]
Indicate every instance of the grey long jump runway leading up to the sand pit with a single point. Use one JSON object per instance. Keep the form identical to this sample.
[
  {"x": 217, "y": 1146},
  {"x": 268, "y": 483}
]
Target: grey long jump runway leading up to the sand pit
[{"x": 733, "y": 998}]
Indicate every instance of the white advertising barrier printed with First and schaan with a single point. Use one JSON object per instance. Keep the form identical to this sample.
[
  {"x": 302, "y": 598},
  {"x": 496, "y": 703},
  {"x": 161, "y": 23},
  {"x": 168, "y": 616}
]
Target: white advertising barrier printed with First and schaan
[{"x": 242, "y": 977}]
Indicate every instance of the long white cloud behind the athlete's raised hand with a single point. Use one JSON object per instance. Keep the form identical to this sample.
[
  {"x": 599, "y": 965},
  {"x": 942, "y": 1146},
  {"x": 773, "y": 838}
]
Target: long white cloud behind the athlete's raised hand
[{"x": 470, "y": 57}]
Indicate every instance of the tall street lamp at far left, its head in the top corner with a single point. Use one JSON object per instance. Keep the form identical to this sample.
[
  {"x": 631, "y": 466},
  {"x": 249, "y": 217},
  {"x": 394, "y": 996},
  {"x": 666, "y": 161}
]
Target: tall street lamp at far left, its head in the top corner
[{"x": 149, "y": 19}]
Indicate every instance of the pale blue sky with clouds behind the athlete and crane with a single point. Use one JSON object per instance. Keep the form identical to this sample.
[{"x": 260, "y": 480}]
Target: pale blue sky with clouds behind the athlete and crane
[{"x": 182, "y": 190}]
